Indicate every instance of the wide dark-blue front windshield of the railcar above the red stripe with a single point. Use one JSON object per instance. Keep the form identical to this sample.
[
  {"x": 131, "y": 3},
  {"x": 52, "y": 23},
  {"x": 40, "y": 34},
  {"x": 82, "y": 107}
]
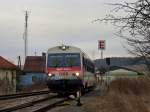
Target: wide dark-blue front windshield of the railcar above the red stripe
[{"x": 63, "y": 60}]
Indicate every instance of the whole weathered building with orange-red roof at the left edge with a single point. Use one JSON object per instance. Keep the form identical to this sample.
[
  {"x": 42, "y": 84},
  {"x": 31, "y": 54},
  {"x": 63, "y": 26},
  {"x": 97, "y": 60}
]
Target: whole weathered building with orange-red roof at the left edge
[{"x": 8, "y": 72}]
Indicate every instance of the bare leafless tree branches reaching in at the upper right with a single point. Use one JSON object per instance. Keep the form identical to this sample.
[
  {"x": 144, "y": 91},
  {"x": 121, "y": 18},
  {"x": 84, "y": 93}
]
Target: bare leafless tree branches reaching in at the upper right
[{"x": 132, "y": 20}]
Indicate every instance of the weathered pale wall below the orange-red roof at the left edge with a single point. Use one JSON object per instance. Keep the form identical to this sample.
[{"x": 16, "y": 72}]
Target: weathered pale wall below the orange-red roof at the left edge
[{"x": 7, "y": 81}]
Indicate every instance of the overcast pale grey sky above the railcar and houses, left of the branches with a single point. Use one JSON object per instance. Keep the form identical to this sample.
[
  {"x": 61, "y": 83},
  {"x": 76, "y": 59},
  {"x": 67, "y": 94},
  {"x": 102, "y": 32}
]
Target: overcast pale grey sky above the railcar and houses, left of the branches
[{"x": 53, "y": 22}]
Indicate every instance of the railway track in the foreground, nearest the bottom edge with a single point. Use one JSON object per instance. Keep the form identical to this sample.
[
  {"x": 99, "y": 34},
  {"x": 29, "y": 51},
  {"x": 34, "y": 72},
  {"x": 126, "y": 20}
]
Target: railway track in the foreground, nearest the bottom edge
[{"x": 40, "y": 105}]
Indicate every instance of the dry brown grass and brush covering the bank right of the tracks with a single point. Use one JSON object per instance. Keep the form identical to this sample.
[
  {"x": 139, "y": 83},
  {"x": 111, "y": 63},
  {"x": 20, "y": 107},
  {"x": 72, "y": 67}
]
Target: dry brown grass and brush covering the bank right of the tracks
[{"x": 124, "y": 95}]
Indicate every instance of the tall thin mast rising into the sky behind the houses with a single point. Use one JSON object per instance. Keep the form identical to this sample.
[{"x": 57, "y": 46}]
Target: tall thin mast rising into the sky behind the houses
[{"x": 25, "y": 36}]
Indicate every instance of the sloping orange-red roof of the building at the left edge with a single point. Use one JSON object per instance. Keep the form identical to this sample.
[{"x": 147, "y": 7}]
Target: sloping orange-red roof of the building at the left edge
[{"x": 5, "y": 64}]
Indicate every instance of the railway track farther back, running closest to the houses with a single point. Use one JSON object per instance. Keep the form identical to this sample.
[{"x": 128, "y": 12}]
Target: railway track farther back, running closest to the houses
[{"x": 11, "y": 96}]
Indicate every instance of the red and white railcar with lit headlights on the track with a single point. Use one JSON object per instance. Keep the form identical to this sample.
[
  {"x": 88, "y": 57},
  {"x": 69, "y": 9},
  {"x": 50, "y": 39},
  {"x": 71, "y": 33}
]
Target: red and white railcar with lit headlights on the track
[{"x": 69, "y": 70}]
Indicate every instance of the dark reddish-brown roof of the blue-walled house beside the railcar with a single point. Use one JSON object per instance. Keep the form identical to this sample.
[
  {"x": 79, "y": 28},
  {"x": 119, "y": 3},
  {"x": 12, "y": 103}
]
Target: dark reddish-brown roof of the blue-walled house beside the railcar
[{"x": 35, "y": 64}]
